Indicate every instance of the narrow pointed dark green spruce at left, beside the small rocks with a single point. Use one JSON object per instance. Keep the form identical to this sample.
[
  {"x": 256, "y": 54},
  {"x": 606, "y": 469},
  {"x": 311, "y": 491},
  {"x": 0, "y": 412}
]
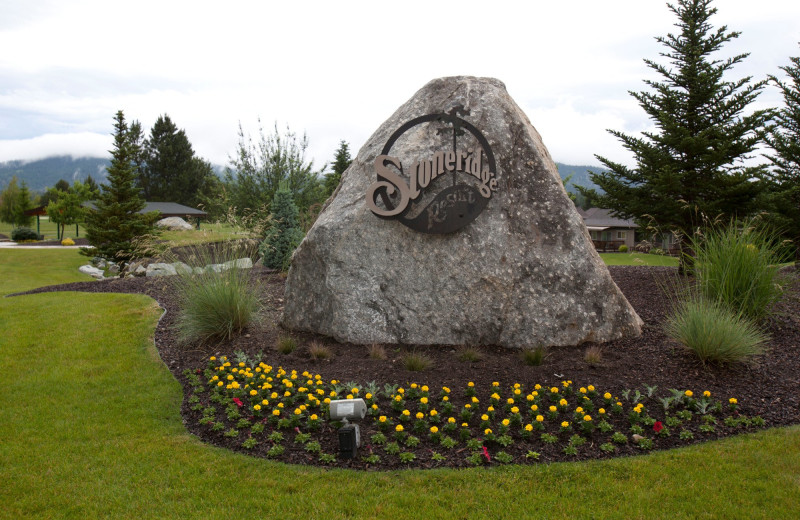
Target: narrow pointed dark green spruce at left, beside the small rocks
[{"x": 115, "y": 226}]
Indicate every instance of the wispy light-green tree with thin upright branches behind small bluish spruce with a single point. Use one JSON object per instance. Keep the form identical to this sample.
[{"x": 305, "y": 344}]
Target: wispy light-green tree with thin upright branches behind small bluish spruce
[{"x": 259, "y": 168}]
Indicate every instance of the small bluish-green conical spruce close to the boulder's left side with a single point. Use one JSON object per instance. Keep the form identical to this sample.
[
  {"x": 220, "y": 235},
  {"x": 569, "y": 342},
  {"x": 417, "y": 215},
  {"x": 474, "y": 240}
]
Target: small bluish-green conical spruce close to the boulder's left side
[{"x": 285, "y": 234}]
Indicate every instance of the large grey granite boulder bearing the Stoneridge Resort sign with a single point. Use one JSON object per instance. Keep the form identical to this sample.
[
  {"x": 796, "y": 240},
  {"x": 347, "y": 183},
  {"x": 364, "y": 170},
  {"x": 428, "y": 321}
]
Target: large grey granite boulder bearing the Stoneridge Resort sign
[{"x": 452, "y": 226}]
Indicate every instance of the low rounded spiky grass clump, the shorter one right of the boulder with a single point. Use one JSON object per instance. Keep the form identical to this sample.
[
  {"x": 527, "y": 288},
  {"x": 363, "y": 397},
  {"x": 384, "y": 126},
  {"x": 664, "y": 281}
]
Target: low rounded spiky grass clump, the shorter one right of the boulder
[{"x": 712, "y": 331}]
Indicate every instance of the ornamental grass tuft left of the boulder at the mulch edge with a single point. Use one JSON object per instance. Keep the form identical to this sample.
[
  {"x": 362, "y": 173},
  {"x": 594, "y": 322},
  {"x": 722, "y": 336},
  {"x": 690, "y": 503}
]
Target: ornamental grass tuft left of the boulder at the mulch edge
[{"x": 215, "y": 304}]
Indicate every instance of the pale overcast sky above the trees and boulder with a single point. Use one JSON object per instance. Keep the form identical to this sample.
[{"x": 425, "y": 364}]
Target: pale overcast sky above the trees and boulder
[{"x": 337, "y": 70}]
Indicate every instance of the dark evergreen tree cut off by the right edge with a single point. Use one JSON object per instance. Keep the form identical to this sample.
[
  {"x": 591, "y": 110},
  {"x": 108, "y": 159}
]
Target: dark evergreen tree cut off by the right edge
[{"x": 784, "y": 138}]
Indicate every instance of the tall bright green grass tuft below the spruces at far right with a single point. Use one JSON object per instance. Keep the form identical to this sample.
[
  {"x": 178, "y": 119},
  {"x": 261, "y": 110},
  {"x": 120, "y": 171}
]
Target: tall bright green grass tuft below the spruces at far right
[{"x": 737, "y": 265}]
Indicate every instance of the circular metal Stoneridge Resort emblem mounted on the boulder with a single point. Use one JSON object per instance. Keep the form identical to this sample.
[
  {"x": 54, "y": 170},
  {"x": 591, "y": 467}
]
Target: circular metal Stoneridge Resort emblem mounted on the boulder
[{"x": 443, "y": 191}]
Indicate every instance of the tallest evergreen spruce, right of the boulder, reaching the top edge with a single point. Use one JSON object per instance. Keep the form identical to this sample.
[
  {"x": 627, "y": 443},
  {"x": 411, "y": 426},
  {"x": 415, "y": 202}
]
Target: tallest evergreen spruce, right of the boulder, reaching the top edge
[{"x": 691, "y": 166}]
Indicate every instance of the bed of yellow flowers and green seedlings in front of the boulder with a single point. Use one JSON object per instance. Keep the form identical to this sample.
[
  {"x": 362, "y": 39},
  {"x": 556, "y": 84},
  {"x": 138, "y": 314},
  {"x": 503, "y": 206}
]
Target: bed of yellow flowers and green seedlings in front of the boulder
[{"x": 283, "y": 414}]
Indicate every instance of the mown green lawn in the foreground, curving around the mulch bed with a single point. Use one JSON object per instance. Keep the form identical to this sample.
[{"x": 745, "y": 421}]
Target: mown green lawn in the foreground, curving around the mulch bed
[{"x": 90, "y": 428}]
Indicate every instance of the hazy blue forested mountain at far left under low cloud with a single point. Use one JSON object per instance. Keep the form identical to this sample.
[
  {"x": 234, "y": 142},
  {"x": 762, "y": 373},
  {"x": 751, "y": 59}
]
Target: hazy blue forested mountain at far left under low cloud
[{"x": 45, "y": 173}]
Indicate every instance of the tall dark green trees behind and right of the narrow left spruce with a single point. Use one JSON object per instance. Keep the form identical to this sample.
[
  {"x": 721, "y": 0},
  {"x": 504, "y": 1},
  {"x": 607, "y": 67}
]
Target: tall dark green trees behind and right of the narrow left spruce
[{"x": 169, "y": 171}]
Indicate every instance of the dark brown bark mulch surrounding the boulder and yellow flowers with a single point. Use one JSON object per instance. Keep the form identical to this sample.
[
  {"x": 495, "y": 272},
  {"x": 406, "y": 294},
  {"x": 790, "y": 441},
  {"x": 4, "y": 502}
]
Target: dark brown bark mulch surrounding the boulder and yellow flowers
[{"x": 767, "y": 388}]
